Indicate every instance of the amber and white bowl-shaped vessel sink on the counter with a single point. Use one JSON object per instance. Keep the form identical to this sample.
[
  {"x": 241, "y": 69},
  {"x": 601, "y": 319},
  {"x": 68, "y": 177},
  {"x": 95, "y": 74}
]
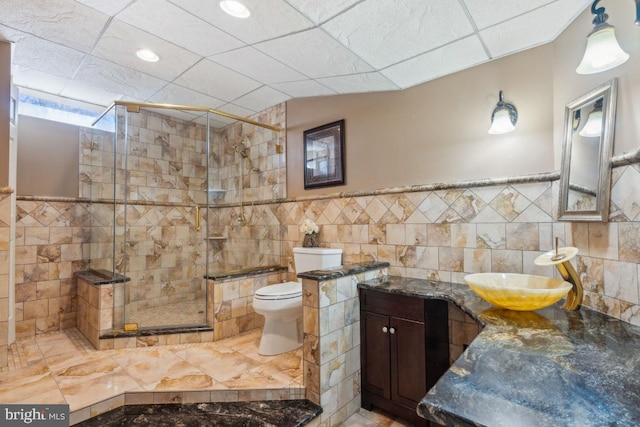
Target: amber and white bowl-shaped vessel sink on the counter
[{"x": 522, "y": 292}]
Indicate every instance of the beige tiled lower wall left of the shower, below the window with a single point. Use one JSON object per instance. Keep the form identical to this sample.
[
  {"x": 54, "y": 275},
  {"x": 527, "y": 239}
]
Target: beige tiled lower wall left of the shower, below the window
[{"x": 49, "y": 249}]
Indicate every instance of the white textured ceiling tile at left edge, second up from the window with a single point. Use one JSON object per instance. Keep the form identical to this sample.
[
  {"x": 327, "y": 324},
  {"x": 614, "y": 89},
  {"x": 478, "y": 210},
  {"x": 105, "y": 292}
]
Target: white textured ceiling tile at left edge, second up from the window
[{"x": 39, "y": 54}]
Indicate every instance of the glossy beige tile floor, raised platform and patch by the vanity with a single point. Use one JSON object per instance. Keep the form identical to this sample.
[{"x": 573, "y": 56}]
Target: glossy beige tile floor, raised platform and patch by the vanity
[{"x": 63, "y": 367}]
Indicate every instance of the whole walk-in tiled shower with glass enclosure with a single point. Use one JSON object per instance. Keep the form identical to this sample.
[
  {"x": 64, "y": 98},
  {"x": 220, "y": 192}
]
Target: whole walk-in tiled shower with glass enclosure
[{"x": 166, "y": 189}]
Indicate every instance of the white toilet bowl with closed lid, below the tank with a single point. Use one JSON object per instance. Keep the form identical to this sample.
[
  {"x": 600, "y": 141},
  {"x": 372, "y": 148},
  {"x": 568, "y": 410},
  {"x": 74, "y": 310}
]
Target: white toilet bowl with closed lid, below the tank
[{"x": 281, "y": 306}]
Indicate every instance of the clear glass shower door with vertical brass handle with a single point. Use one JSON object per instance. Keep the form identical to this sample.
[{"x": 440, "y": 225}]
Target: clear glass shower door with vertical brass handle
[{"x": 163, "y": 176}]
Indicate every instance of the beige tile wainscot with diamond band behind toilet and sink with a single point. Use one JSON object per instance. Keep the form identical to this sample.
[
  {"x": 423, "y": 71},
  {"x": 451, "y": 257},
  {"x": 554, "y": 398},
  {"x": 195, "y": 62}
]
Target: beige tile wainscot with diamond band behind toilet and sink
[{"x": 445, "y": 234}]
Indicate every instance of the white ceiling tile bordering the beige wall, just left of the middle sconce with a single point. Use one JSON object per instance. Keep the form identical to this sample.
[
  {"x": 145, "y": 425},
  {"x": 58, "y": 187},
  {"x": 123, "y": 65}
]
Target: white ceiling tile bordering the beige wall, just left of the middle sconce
[{"x": 454, "y": 57}]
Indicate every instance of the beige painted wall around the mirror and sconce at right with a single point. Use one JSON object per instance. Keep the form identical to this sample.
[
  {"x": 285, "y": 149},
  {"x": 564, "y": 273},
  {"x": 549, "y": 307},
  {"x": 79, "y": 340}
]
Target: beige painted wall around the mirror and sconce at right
[{"x": 568, "y": 49}]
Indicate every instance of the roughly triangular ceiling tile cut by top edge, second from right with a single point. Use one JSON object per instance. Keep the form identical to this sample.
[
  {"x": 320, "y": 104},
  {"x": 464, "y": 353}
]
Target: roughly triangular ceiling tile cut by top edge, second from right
[{"x": 489, "y": 12}]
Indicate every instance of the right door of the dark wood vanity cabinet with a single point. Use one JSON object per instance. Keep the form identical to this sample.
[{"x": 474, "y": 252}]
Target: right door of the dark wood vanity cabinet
[{"x": 408, "y": 362}]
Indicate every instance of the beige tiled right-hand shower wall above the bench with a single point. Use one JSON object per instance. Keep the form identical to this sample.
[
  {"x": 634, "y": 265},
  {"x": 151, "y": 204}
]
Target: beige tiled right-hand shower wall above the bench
[{"x": 250, "y": 233}]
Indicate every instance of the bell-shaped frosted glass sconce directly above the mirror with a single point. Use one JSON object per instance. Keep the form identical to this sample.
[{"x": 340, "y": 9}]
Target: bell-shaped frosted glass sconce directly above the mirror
[{"x": 603, "y": 51}]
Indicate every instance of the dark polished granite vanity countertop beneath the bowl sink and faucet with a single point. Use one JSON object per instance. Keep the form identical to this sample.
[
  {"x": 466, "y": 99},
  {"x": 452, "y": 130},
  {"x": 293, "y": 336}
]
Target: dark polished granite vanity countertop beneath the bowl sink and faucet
[{"x": 549, "y": 367}]
